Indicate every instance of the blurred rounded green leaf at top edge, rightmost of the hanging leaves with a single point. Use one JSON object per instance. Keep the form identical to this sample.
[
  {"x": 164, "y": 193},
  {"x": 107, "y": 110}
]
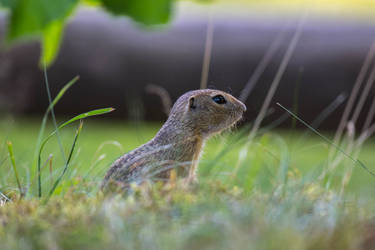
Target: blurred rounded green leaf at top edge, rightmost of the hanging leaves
[{"x": 144, "y": 11}]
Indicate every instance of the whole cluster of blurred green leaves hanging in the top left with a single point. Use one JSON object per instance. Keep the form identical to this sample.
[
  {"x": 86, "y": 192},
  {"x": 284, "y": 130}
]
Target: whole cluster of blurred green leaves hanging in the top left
[{"x": 46, "y": 19}]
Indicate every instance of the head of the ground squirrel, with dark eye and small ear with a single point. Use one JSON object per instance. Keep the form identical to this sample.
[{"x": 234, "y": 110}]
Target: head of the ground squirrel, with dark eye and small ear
[{"x": 207, "y": 111}]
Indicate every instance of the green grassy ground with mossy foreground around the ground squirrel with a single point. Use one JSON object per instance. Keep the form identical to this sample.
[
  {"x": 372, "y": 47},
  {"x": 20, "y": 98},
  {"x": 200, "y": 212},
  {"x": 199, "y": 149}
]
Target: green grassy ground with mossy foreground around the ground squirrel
[{"x": 271, "y": 199}]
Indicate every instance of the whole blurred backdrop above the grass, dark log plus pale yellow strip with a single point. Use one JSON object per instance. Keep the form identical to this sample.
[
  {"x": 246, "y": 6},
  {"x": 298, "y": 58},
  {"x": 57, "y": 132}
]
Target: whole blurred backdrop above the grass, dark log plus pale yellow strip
[{"x": 117, "y": 58}]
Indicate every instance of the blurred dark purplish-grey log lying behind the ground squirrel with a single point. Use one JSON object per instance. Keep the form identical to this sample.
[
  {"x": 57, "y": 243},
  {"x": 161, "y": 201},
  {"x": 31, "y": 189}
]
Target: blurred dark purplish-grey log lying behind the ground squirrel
[{"x": 116, "y": 60}]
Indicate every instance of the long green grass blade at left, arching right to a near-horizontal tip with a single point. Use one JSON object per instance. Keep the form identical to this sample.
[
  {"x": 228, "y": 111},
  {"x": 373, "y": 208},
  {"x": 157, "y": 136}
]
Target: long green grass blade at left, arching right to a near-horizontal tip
[{"x": 78, "y": 117}]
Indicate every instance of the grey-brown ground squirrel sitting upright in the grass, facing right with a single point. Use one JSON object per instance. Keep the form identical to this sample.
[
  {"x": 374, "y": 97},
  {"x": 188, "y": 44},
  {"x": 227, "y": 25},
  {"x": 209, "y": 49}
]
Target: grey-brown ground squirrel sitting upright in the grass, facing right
[{"x": 195, "y": 116}]
